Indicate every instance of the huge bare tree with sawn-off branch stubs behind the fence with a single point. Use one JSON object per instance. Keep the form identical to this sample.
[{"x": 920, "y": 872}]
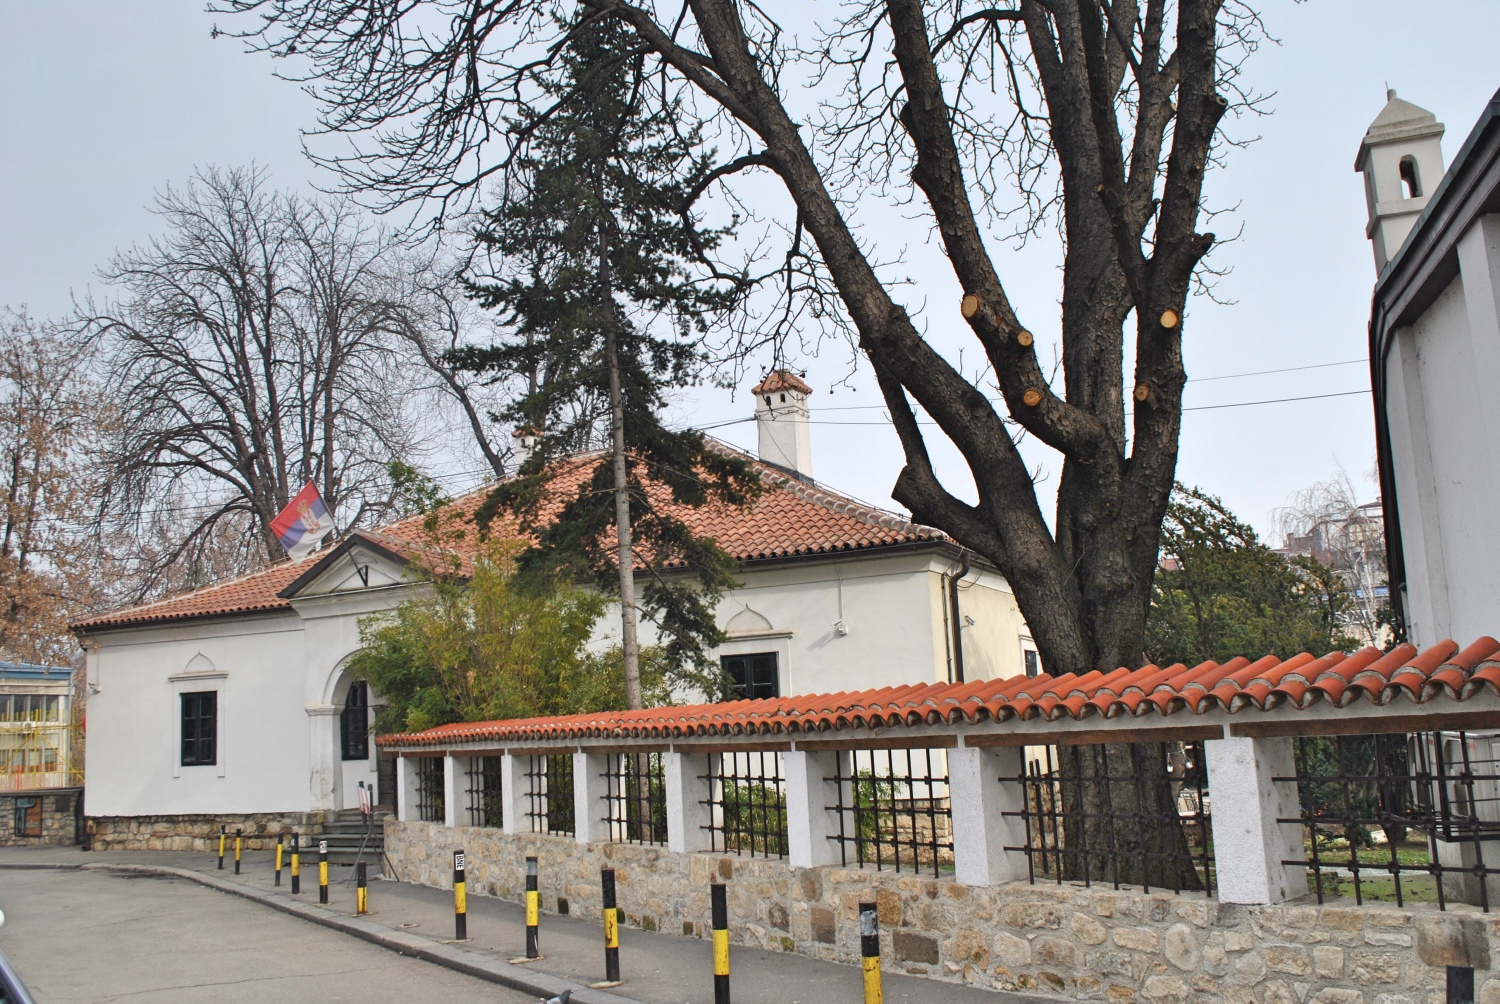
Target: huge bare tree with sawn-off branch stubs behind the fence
[{"x": 1099, "y": 115}]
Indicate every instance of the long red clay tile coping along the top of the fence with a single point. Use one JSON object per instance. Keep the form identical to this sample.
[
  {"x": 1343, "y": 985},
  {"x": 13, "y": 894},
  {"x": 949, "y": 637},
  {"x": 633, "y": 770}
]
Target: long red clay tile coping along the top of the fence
[{"x": 1405, "y": 675}]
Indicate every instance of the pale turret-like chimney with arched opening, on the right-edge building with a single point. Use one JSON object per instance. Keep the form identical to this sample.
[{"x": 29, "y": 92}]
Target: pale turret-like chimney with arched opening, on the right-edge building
[{"x": 1402, "y": 160}]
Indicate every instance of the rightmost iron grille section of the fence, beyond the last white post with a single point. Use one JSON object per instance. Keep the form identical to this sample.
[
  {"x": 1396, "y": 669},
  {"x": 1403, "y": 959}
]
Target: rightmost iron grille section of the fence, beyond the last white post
[{"x": 1400, "y": 817}]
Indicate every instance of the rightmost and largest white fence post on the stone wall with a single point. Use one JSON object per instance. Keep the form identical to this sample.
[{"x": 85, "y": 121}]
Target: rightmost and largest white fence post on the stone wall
[{"x": 1249, "y": 844}]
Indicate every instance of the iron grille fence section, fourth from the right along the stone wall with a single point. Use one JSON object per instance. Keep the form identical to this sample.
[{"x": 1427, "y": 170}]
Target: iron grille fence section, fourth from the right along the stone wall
[{"x": 748, "y": 804}]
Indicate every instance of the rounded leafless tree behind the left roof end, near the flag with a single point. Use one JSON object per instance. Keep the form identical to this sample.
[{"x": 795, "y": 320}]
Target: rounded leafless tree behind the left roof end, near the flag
[{"x": 253, "y": 349}]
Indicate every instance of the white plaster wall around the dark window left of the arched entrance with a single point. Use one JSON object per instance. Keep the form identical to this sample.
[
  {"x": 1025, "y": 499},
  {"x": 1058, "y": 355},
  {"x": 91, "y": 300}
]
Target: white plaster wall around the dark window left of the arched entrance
[{"x": 134, "y": 729}]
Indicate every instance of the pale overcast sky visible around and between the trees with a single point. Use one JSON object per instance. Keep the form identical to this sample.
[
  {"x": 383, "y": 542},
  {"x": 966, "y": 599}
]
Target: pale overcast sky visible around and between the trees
[{"x": 104, "y": 103}]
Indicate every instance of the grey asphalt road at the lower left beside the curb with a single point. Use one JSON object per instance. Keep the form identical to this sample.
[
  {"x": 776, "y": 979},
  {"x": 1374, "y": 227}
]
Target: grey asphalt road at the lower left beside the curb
[{"x": 94, "y": 937}]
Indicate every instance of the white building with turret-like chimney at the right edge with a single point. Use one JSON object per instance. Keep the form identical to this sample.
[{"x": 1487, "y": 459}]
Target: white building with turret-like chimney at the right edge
[{"x": 1435, "y": 350}]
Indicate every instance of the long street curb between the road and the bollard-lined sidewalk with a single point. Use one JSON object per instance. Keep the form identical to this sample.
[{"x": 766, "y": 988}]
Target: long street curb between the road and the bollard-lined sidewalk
[{"x": 407, "y": 945}]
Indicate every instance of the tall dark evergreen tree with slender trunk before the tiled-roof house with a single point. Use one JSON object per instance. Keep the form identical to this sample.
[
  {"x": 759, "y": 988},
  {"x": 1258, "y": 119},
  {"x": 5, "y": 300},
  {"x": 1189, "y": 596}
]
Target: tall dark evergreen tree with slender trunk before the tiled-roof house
[{"x": 607, "y": 308}]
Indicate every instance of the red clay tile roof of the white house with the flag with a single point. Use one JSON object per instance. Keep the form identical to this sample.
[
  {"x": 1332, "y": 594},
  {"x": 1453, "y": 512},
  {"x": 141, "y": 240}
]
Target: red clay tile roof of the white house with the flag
[{"x": 791, "y": 519}]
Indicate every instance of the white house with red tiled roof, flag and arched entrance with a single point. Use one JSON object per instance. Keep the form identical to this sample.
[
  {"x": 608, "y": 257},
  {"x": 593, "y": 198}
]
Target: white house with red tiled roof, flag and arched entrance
[{"x": 236, "y": 700}]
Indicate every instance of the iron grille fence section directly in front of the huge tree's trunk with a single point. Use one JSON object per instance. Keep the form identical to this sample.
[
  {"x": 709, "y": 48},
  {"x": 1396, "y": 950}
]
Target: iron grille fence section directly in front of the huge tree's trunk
[{"x": 1127, "y": 814}]
